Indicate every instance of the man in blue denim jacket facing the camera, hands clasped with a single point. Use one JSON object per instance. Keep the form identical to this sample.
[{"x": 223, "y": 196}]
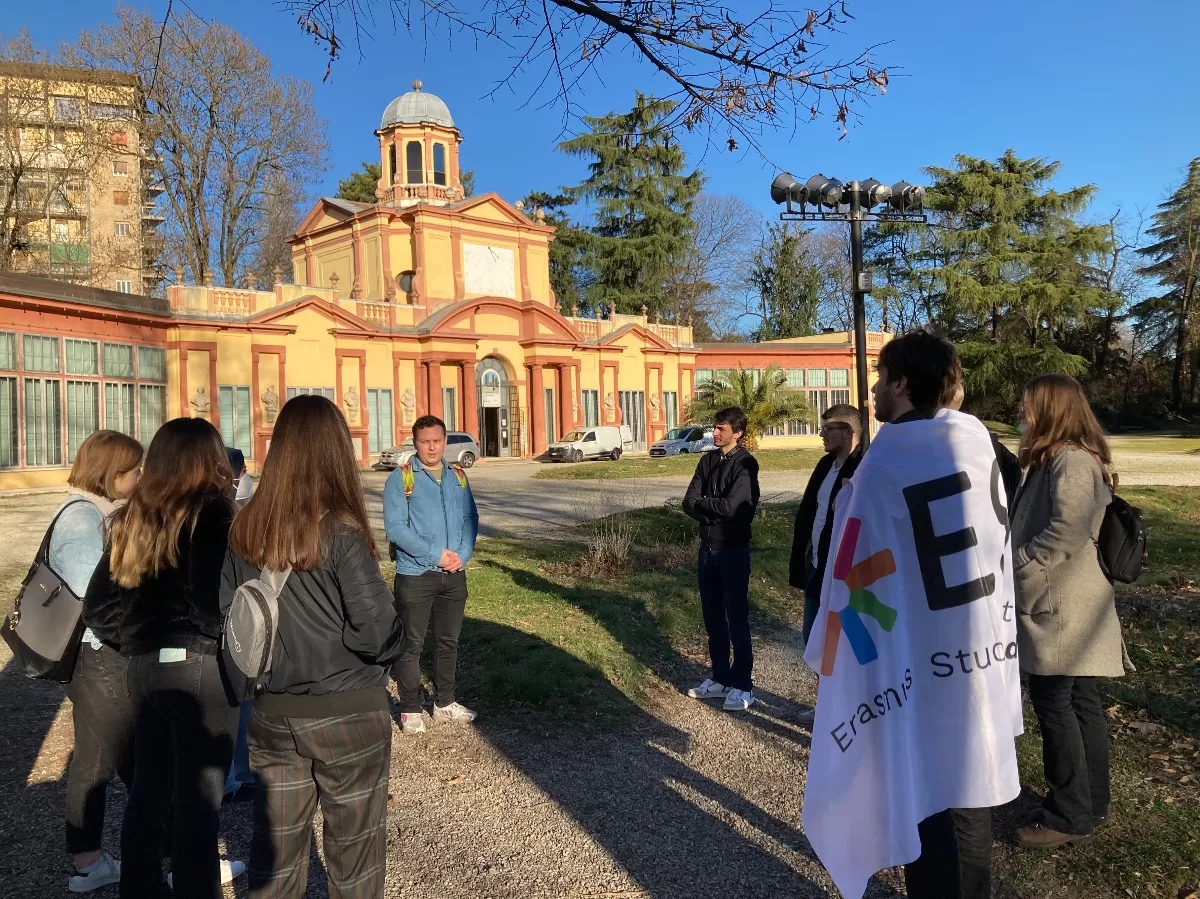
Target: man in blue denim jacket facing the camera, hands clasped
[{"x": 433, "y": 523}]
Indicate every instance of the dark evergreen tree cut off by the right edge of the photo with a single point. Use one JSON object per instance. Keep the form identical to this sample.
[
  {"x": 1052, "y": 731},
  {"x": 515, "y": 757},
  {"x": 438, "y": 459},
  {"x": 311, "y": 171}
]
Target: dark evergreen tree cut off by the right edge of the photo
[{"x": 1177, "y": 265}]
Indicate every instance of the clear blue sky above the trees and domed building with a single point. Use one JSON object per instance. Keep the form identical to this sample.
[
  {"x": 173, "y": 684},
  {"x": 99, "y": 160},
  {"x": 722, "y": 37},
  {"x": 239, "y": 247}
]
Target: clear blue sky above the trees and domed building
[{"x": 1109, "y": 89}]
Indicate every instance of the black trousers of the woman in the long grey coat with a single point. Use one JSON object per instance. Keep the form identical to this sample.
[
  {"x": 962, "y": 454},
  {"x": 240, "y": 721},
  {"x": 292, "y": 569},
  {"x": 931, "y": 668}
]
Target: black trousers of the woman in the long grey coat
[{"x": 1075, "y": 751}]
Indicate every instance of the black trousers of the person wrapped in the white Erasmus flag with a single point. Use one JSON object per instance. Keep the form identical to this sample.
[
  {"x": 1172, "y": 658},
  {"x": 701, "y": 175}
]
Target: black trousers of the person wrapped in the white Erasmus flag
[{"x": 956, "y": 858}]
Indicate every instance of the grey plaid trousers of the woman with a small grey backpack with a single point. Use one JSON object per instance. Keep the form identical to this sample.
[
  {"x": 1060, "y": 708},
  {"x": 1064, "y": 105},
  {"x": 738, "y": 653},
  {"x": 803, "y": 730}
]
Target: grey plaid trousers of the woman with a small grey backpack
[{"x": 343, "y": 762}]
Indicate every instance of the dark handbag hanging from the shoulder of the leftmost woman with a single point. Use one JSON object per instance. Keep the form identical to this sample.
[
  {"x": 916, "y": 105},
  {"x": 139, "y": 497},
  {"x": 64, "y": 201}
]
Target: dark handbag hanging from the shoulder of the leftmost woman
[{"x": 46, "y": 627}]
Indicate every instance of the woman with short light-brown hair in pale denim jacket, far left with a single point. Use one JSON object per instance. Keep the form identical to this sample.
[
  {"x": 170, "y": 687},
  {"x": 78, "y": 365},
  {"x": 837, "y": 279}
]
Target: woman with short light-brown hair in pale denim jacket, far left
[{"x": 106, "y": 470}]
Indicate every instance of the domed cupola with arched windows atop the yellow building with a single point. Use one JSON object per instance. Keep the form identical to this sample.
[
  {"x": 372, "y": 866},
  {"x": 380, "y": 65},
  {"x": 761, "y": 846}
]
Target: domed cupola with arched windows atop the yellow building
[{"x": 418, "y": 152}]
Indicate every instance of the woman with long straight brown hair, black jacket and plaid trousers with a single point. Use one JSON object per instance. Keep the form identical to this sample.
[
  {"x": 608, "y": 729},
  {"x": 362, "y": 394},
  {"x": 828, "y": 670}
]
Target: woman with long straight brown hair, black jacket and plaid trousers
[{"x": 322, "y": 729}]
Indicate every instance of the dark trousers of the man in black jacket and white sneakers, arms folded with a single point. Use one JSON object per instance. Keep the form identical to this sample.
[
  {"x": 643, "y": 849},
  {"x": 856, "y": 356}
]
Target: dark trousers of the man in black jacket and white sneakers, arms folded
[{"x": 725, "y": 602}]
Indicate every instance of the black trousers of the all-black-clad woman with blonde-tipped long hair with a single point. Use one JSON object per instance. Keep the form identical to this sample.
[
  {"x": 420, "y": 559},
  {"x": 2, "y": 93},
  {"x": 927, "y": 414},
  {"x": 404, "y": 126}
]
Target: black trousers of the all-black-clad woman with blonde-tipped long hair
[{"x": 184, "y": 740}]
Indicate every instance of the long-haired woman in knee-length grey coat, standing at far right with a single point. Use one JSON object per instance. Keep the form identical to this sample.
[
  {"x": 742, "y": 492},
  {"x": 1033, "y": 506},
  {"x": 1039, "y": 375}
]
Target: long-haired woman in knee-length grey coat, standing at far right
[{"x": 1069, "y": 634}]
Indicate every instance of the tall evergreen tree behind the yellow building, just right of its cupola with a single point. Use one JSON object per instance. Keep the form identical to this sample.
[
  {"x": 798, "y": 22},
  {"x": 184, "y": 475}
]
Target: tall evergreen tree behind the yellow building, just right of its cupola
[{"x": 643, "y": 202}]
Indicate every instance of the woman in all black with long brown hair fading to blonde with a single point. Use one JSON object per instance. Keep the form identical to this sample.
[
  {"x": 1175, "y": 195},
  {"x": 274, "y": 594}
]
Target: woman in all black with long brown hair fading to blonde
[{"x": 155, "y": 596}]
